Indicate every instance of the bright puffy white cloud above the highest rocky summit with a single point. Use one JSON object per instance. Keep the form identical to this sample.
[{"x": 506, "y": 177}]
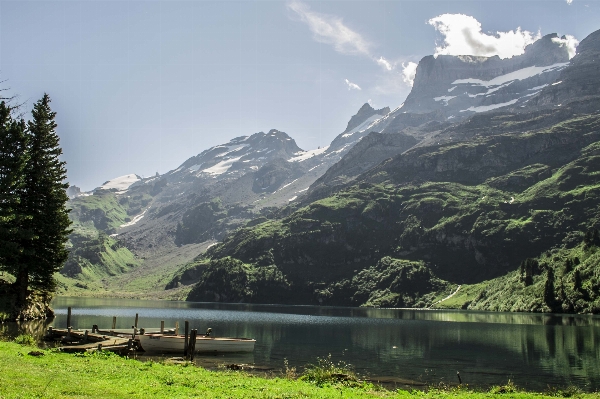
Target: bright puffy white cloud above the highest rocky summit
[{"x": 463, "y": 36}]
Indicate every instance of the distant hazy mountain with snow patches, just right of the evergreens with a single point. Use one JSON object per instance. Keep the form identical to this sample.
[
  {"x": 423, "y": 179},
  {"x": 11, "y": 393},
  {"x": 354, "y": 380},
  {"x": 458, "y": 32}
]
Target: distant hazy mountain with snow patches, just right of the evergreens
[{"x": 131, "y": 229}]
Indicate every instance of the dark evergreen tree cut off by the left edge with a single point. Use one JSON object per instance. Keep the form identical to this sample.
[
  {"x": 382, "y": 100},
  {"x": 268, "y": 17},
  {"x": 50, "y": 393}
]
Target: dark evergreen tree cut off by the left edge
[{"x": 13, "y": 157}]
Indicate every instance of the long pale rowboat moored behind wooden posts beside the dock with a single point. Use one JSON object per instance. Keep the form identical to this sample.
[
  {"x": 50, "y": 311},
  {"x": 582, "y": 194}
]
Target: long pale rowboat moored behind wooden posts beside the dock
[{"x": 156, "y": 342}]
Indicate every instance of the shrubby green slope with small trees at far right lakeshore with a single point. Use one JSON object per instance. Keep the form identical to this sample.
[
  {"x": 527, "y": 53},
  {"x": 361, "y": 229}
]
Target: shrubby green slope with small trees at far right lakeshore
[{"x": 563, "y": 280}]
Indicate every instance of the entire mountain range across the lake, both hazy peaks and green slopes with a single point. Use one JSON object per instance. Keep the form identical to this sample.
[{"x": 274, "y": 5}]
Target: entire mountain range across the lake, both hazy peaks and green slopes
[{"x": 400, "y": 209}]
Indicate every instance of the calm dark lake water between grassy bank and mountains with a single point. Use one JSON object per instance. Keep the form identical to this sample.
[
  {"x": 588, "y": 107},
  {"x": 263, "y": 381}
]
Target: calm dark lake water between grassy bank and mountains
[{"x": 424, "y": 346}]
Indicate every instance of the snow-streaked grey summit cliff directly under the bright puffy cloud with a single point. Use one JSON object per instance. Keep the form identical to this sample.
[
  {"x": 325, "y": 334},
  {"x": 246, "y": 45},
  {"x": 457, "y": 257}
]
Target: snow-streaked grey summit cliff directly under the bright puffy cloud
[{"x": 459, "y": 86}]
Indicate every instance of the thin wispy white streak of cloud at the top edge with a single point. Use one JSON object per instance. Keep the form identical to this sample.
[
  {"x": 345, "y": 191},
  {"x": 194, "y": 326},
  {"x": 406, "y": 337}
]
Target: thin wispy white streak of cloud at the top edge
[{"x": 331, "y": 30}]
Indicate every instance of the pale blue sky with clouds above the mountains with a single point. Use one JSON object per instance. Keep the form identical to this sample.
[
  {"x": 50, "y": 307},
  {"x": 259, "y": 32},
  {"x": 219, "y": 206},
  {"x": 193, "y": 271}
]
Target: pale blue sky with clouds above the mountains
[{"x": 140, "y": 86}]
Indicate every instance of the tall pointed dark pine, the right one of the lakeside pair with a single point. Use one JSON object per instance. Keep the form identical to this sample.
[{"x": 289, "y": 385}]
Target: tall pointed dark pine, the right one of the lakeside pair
[{"x": 44, "y": 202}]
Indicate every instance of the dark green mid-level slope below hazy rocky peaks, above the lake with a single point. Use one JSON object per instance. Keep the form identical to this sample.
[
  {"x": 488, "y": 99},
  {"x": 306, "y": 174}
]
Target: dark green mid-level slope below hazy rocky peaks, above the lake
[{"x": 421, "y": 223}]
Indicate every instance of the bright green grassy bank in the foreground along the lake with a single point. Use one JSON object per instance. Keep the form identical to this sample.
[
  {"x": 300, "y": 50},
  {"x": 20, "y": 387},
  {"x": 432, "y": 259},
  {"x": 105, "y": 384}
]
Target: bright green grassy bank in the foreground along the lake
[{"x": 56, "y": 375}]
